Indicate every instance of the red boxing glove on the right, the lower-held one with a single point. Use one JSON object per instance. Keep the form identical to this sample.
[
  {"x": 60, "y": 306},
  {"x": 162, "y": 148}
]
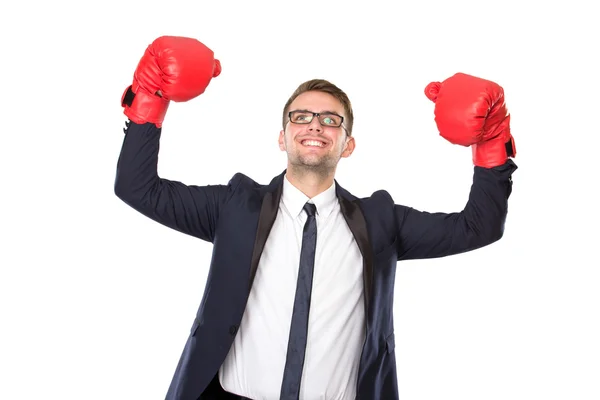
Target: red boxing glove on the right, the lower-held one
[{"x": 471, "y": 111}]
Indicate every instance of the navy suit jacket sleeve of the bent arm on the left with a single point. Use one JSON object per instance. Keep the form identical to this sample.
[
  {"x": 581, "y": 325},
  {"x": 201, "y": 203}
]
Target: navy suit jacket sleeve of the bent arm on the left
[{"x": 193, "y": 210}]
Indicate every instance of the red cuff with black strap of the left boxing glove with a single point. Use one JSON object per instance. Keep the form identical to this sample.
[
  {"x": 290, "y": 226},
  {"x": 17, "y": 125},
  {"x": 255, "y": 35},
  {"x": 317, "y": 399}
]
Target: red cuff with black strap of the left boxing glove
[{"x": 142, "y": 107}]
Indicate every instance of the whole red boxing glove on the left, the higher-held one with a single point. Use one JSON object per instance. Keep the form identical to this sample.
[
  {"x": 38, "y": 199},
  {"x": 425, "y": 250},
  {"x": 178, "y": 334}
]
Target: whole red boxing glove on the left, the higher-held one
[{"x": 172, "y": 68}]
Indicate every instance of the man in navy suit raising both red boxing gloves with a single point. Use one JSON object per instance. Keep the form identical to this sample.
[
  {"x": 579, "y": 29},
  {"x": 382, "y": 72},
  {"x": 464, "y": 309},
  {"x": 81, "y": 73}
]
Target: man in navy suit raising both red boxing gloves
[{"x": 298, "y": 302}]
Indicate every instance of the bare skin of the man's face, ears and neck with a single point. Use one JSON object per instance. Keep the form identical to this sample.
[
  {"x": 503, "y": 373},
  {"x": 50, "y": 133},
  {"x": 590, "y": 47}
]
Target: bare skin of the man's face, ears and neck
[{"x": 309, "y": 168}]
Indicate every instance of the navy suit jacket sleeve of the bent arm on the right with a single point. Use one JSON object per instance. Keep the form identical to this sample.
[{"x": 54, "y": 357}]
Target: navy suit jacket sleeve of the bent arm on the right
[{"x": 430, "y": 235}]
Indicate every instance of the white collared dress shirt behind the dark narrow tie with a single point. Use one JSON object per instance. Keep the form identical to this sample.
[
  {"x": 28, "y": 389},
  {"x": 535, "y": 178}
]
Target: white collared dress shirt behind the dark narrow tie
[{"x": 255, "y": 363}]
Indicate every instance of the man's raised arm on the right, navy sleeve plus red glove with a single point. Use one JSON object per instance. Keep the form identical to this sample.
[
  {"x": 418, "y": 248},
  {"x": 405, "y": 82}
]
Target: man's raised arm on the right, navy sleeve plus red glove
[{"x": 469, "y": 111}]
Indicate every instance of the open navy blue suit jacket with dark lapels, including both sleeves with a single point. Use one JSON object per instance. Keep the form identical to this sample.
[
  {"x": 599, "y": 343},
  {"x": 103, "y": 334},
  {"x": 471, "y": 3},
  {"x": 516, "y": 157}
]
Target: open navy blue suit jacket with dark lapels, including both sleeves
[{"x": 237, "y": 218}]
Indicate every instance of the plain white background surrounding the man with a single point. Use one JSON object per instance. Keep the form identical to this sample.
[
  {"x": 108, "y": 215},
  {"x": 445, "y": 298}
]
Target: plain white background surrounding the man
[{"x": 97, "y": 300}]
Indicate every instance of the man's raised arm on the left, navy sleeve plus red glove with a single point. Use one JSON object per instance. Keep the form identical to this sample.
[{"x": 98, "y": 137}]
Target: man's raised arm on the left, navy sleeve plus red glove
[{"x": 177, "y": 69}]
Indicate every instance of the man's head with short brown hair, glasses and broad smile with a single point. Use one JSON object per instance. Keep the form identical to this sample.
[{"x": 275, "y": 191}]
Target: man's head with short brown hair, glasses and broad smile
[{"x": 317, "y": 126}]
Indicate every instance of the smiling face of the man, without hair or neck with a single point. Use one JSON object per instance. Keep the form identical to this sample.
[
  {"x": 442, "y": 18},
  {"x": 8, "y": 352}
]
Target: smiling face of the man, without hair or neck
[{"x": 313, "y": 145}]
